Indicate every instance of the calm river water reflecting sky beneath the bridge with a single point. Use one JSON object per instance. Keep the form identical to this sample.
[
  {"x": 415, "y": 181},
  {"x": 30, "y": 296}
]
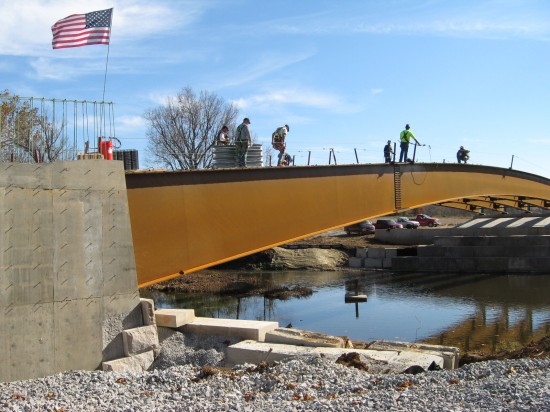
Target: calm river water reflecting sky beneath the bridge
[{"x": 474, "y": 312}]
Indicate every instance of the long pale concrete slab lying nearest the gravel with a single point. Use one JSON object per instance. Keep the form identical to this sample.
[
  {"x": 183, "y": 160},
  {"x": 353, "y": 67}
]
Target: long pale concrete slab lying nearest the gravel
[{"x": 377, "y": 361}]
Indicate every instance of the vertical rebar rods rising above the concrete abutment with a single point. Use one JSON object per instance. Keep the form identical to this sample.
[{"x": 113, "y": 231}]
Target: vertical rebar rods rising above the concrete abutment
[{"x": 36, "y": 130}]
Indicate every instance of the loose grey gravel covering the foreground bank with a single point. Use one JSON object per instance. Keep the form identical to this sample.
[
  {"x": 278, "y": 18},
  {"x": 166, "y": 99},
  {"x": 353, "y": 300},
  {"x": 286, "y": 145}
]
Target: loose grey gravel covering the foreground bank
[{"x": 189, "y": 376}]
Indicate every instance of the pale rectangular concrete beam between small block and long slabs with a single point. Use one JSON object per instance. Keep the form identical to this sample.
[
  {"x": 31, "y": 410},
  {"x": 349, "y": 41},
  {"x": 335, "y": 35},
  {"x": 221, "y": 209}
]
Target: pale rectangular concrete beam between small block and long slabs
[{"x": 245, "y": 329}]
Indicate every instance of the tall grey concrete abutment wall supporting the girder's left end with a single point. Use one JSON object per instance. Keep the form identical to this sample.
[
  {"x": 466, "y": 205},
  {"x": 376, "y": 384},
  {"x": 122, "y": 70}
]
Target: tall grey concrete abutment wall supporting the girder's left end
[{"x": 68, "y": 283}]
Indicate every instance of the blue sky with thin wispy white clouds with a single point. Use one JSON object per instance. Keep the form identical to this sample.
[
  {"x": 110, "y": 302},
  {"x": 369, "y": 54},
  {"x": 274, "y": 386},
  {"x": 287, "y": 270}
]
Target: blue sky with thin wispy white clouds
[{"x": 346, "y": 75}]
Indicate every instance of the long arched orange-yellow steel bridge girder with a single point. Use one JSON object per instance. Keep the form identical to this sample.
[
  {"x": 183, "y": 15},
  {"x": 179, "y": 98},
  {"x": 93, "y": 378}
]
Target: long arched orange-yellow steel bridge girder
[{"x": 185, "y": 221}]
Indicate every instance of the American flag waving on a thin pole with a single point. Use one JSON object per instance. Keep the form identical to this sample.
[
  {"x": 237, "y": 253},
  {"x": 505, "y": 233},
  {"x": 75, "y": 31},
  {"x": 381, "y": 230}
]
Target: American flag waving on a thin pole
[{"x": 82, "y": 29}]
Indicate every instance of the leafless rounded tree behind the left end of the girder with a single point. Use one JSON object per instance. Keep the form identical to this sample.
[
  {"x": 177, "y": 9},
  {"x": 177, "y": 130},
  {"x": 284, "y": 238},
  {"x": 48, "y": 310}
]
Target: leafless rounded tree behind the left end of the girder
[{"x": 182, "y": 132}]
